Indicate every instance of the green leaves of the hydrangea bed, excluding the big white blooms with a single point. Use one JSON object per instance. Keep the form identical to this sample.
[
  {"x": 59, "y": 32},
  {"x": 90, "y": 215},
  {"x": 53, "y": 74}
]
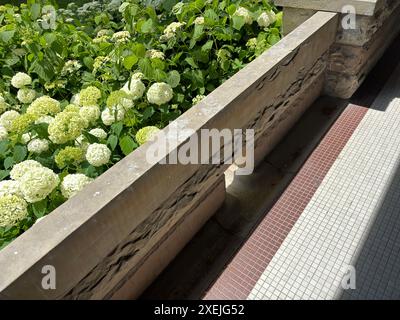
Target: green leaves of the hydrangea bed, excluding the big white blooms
[{"x": 193, "y": 47}]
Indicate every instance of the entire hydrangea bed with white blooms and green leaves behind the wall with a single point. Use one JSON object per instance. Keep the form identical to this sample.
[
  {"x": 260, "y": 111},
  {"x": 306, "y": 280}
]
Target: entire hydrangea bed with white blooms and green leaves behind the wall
[{"x": 82, "y": 87}]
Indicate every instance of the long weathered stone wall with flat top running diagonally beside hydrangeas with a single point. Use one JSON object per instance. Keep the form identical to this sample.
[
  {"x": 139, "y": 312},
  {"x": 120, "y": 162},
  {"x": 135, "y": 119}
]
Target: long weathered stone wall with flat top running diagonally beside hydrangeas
[{"x": 113, "y": 238}]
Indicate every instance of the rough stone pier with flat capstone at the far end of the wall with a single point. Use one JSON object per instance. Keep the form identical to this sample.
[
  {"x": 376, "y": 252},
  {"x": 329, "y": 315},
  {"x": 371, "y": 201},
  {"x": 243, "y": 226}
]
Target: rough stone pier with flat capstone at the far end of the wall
[{"x": 355, "y": 51}]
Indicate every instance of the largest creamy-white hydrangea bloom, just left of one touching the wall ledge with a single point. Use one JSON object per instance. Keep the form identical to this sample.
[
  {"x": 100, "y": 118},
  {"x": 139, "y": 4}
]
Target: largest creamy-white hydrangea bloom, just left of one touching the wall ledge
[{"x": 37, "y": 183}]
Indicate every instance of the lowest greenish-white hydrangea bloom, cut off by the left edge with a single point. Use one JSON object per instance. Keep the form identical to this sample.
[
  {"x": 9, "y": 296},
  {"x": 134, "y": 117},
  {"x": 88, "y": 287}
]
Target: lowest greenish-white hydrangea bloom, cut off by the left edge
[{"x": 12, "y": 210}]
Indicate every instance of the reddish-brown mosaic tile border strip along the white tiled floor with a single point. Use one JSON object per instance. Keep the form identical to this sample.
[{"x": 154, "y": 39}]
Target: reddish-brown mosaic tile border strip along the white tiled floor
[{"x": 243, "y": 272}]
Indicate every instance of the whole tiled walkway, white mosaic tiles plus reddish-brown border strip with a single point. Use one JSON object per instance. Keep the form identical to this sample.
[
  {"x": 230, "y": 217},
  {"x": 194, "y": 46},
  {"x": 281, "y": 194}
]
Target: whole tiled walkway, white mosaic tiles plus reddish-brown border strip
[{"x": 338, "y": 222}]
